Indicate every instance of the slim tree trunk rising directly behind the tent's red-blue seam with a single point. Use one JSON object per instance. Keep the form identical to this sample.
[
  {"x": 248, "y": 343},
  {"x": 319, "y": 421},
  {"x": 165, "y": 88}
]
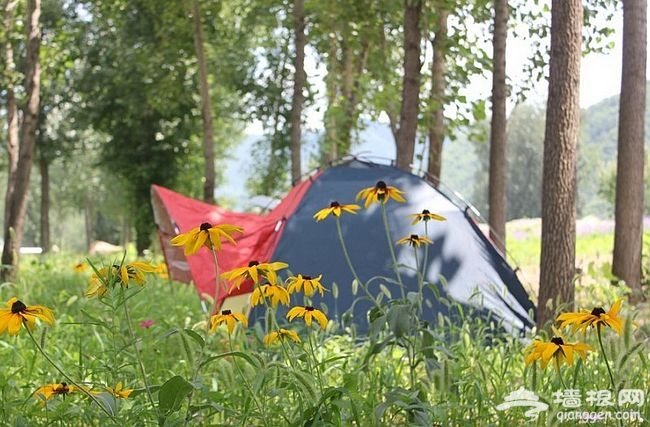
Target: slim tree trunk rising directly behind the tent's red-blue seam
[{"x": 298, "y": 98}]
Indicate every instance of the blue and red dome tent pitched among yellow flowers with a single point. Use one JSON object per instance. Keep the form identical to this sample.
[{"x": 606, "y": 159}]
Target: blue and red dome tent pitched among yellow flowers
[{"x": 462, "y": 265}]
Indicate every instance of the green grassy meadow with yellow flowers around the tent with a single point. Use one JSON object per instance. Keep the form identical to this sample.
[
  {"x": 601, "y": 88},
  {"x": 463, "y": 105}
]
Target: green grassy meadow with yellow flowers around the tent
[{"x": 144, "y": 354}]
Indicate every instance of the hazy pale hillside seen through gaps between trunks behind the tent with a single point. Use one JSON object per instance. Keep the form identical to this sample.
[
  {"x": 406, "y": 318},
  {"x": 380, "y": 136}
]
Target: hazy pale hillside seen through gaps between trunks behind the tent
[{"x": 461, "y": 158}]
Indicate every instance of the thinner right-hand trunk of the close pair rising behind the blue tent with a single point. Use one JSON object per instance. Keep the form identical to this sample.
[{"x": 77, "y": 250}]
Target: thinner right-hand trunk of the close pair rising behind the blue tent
[{"x": 437, "y": 97}]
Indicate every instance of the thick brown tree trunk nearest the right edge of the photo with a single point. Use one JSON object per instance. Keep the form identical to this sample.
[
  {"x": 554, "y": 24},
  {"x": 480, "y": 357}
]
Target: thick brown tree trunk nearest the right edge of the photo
[{"x": 628, "y": 232}]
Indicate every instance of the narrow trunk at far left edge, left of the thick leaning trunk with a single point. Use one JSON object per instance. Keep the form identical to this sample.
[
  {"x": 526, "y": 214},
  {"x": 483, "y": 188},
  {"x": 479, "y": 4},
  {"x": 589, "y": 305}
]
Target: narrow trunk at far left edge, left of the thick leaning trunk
[{"x": 12, "y": 106}]
